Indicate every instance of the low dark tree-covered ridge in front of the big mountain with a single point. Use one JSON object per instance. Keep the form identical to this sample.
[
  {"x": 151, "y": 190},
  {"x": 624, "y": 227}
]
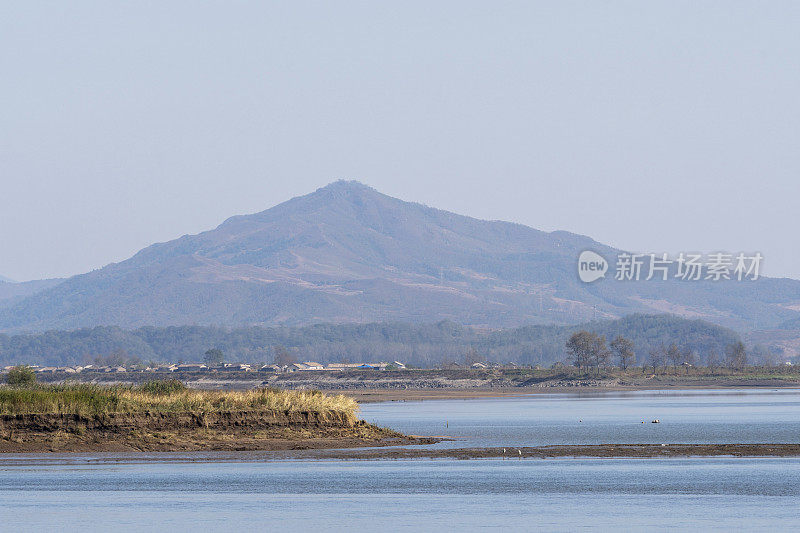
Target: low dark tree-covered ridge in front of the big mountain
[{"x": 418, "y": 344}]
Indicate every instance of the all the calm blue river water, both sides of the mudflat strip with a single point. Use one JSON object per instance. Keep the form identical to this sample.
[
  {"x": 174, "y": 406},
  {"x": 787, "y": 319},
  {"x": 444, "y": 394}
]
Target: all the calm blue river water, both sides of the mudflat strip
[{"x": 243, "y": 494}]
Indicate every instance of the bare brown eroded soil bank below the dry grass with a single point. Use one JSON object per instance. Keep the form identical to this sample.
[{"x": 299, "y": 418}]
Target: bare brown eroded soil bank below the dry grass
[{"x": 215, "y": 431}]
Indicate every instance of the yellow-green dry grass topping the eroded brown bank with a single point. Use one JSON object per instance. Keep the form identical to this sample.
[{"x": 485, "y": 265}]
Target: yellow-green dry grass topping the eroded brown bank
[{"x": 89, "y": 400}]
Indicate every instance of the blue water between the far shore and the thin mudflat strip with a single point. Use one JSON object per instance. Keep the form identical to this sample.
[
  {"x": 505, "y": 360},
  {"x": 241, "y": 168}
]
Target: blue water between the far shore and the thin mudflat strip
[{"x": 600, "y": 418}]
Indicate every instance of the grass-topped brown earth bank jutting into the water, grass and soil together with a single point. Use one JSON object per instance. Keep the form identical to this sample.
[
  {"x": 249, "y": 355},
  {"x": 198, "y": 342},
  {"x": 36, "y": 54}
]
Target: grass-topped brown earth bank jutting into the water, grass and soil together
[{"x": 168, "y": 416}]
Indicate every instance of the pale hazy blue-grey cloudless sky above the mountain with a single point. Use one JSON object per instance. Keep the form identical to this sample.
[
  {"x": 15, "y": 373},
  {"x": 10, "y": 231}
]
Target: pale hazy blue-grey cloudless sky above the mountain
[{"x": 651, "y": 126}]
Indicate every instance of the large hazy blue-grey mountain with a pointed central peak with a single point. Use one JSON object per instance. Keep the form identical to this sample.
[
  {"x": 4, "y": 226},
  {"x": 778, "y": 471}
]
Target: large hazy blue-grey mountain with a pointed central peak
[{"x": 347, "y": 253}]
